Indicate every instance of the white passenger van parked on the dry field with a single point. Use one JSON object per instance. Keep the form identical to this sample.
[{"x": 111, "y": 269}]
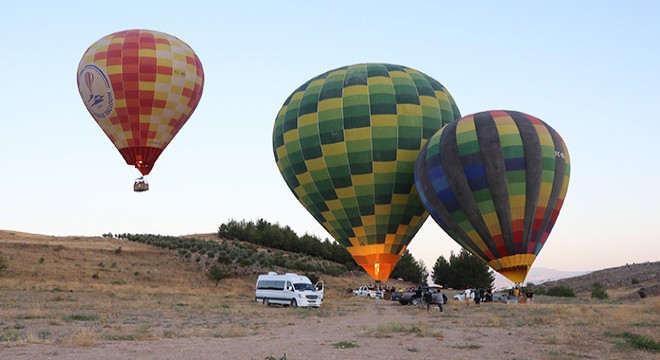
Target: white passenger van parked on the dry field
[{"x": 288, "y": 289}]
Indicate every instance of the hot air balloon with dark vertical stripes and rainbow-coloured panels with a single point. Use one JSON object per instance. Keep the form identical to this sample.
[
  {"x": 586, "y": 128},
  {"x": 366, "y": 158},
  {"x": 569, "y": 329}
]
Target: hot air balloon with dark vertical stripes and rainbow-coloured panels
[{"x": 495, "y": 182}]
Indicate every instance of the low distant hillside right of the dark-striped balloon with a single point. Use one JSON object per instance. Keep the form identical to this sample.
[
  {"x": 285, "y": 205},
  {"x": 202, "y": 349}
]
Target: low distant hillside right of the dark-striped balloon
[{"x": 625, "y": 280}]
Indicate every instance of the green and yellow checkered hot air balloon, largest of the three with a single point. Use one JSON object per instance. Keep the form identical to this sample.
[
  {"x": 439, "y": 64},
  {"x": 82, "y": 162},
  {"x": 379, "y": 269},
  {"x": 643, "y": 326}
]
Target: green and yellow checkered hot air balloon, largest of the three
[{"x": 346, "y": 143}]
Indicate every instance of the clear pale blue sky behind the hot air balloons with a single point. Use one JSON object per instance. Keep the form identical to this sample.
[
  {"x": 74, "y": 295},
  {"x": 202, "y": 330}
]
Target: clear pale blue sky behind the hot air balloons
[{"x": 590, "y": 69}]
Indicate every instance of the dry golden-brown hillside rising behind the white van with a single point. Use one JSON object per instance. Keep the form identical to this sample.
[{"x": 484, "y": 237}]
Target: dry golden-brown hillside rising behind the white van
[{"x": 75, "y": 263}]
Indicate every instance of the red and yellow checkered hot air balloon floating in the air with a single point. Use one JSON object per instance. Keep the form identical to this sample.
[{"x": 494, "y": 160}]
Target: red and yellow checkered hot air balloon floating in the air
[{"x": 141, "y": 86}]
